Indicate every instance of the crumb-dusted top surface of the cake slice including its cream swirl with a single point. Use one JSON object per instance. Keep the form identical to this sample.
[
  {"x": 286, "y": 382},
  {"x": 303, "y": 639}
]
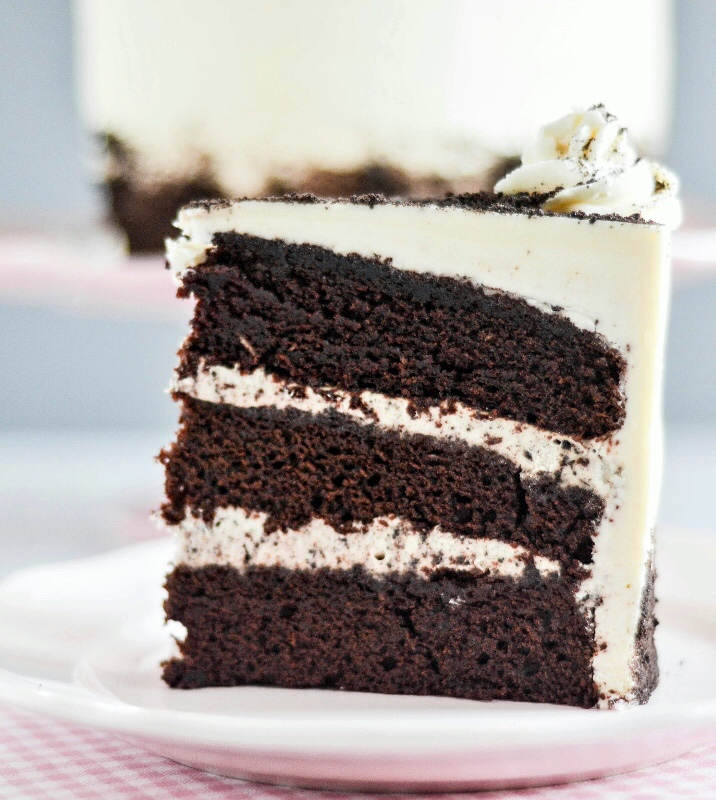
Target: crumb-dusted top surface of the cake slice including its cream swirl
[{"x": 581, "y": 166}]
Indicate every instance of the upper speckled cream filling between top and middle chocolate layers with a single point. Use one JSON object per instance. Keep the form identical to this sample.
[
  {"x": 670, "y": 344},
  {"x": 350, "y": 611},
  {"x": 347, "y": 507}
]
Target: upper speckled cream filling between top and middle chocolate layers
[{"x": 534, "y": 450}]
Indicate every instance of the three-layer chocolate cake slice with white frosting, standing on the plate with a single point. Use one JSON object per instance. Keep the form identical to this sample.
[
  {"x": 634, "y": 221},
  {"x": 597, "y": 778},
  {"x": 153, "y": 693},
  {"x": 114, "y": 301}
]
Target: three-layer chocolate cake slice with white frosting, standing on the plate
[{"x": 419, "y": 442}]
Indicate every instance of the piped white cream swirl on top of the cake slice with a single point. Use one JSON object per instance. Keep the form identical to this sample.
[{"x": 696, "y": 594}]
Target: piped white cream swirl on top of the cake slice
[{"x": 586, "y": 163}]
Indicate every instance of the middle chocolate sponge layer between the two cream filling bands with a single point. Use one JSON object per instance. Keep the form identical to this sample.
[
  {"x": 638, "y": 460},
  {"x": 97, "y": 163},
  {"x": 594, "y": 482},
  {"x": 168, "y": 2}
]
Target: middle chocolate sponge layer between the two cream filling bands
[{"x": 295, "y": 466}]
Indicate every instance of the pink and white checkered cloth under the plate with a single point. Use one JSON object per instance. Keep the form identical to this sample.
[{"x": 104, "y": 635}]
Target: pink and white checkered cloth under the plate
[{"x": 43, "y": 759}]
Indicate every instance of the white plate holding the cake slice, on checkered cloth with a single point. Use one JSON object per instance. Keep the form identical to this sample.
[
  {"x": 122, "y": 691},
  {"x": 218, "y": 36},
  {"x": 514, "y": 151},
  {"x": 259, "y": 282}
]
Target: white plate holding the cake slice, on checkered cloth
[{"x": 103, "y": 613}]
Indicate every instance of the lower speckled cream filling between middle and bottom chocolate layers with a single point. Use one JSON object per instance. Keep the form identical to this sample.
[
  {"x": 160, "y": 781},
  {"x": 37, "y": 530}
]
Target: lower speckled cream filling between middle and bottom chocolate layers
[{"x": 237, "y": 538}]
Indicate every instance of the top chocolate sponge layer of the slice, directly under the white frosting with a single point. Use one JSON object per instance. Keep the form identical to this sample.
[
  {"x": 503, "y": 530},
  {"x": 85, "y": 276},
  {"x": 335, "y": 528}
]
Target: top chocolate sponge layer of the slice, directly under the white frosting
[{"x": 317, "y": 318}]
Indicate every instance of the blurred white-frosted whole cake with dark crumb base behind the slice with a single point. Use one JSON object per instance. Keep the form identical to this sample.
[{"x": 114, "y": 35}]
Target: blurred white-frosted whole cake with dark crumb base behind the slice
[{"x": 238, "y": 101}]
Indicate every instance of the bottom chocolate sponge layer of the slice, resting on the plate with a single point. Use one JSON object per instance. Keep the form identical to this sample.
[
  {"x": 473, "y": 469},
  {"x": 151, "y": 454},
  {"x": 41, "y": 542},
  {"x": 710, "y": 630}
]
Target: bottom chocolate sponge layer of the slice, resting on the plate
[{"x": 461, "y": 635}]
